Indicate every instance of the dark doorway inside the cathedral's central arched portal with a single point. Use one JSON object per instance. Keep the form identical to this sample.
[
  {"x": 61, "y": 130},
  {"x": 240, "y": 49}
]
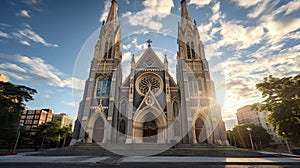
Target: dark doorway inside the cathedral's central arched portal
[{"x": 150, "y": 132}]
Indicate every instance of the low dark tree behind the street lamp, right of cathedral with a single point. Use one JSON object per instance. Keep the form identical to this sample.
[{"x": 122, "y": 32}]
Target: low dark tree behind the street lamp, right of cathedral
[{"x": 240, "y": 136}]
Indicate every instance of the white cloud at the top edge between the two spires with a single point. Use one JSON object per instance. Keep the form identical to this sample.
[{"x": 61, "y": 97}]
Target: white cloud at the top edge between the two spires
[{"x": 150, "y": 16}]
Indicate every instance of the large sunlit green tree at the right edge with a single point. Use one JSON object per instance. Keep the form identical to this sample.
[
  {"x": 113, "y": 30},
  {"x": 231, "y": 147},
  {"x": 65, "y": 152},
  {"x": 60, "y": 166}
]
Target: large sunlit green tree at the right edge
[{"x": 283, "y": 101}]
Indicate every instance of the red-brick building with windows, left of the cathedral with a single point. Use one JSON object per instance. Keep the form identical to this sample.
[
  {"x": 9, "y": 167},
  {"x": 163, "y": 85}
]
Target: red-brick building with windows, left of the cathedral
[{"x": 33, "y": 118}]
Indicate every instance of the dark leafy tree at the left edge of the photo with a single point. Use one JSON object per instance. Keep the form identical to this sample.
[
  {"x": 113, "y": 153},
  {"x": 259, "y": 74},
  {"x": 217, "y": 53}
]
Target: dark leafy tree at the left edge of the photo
[{"x": 12, "y": 99}]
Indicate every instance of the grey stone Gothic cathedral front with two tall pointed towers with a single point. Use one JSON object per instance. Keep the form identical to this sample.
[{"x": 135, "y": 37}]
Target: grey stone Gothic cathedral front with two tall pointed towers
[{"x": 149, "y": 106}]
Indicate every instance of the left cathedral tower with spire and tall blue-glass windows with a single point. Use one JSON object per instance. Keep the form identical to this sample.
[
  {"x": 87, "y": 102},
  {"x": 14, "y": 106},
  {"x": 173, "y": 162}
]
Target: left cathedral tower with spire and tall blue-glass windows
[{"x": 101, "y": 88}]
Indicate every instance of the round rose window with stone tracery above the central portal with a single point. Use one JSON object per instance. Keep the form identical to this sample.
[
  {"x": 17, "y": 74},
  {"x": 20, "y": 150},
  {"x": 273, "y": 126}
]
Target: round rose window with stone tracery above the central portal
[{"x": 149, "y": 81}]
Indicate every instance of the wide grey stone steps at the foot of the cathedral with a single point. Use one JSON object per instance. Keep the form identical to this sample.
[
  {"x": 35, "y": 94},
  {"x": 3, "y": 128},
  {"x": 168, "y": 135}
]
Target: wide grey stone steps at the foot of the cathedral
[{"x": 207, "y": 150}]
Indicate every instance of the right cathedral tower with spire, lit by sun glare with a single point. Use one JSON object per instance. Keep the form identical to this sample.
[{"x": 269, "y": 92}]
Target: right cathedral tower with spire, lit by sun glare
[{"x": 198, "y": 100}]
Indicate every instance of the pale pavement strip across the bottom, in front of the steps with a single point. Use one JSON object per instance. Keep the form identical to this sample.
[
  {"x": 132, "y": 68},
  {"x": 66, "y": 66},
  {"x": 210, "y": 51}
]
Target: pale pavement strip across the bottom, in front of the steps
[{"x": 150, "y": 159}]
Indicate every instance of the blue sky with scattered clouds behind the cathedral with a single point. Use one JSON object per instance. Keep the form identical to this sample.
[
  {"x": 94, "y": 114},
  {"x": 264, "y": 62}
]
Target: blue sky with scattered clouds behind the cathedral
[{"x": 47, "y": 44}]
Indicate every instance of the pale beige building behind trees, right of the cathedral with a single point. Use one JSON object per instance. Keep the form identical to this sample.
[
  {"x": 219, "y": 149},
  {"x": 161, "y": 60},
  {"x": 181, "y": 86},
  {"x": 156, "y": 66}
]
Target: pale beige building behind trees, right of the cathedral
[{"x": 248, "y": 115}]
